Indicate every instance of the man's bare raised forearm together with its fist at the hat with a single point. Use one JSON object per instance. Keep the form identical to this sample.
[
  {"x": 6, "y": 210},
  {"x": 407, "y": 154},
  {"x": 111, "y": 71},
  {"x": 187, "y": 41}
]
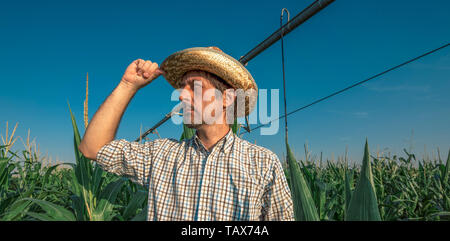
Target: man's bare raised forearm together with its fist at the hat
[{"x": 103, "y": 126}]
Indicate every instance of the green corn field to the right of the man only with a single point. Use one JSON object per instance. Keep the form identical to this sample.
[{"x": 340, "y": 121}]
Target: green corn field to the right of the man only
[{"x": 386, "y": 188}]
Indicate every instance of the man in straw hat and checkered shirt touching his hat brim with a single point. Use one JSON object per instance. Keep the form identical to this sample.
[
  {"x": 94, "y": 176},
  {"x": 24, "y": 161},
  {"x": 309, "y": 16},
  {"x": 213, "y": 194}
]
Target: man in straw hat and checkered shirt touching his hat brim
[{"x": 215, "y": 175}]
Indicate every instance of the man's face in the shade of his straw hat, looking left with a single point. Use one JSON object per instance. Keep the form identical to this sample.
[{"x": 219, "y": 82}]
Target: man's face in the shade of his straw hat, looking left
[{"x": 199, "y": 96}]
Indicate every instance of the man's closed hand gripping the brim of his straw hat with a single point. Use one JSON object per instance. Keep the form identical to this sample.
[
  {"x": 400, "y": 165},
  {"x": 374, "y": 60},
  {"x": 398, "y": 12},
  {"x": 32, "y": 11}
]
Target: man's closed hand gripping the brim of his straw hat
[{"x": 141, "y": 73}]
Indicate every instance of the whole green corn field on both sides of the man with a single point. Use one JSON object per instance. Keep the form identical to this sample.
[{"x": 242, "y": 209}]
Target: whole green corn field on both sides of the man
[{"x": 382, "y": 188}]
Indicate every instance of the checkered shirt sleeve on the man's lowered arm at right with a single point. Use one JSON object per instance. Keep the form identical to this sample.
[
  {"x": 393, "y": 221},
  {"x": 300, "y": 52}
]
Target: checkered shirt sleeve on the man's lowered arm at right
[{"x": 277, "y": 200}]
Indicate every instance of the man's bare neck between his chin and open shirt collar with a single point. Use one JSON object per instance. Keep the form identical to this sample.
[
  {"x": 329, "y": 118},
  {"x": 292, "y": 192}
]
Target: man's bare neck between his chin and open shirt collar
[{"x": 209, "y": 135}]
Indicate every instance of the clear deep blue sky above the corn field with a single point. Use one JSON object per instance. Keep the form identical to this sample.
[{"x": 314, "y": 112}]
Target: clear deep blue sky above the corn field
[{"x": 47, "y": 47}]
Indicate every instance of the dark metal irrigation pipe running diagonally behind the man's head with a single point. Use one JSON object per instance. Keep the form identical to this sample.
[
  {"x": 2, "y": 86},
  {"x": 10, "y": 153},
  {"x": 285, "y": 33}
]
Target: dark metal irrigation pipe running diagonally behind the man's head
[{"x": 300, "y": 18}]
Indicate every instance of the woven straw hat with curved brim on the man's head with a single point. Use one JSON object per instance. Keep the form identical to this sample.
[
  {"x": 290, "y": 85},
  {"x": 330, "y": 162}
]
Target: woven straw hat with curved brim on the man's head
[{"x": 213, "y": 60}]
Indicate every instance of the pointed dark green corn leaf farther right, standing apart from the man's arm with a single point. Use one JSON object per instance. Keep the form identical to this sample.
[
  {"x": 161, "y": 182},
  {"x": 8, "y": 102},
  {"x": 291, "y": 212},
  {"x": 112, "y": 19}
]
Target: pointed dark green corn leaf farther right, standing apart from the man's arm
[{"x": 363, "y": 204}]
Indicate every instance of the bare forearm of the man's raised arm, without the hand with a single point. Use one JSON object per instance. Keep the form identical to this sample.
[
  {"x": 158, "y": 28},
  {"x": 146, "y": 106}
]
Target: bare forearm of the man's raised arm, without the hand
[{"x": 103, "y": 126}]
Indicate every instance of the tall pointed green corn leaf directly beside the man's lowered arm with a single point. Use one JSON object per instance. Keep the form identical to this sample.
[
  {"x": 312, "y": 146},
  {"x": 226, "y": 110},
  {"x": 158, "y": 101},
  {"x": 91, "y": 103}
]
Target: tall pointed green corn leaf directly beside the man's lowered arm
[{"x": 304, "y": 208}]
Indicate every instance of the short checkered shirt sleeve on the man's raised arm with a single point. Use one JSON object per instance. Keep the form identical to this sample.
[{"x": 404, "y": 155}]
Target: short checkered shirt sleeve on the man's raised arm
[{"x": 128, "y": 159}]
